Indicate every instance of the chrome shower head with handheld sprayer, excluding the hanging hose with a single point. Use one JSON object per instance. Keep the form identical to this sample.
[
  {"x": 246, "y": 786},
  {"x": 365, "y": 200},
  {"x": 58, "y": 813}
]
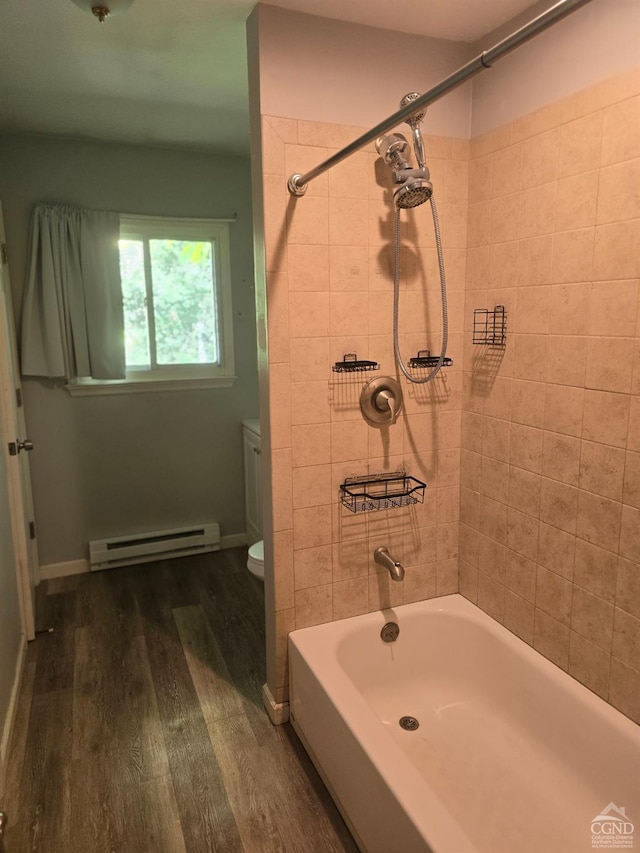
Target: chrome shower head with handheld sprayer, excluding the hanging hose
[{"x": 414, "y": 186}]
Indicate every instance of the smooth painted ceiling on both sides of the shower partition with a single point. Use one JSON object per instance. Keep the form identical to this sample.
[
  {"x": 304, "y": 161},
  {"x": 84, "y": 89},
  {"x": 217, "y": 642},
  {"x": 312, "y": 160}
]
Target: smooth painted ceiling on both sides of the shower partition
[{"x": 173, "y": 73}]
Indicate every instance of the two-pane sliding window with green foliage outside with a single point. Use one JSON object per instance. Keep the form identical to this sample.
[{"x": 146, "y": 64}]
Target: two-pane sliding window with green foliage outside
[{"x": 176, "y": 291}]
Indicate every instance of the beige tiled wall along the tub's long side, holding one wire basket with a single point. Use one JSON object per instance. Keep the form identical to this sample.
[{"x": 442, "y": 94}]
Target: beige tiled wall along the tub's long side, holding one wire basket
[{"x": 550, "y": 463}]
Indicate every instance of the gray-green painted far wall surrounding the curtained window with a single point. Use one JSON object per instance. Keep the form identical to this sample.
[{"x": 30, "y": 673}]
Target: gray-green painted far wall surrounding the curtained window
[{"x": 105, "y": 466}]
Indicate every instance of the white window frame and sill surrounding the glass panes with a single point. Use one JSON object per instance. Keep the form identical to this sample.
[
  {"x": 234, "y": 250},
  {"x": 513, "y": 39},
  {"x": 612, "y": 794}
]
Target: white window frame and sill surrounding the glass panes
[{"x": 182, "y": 376}]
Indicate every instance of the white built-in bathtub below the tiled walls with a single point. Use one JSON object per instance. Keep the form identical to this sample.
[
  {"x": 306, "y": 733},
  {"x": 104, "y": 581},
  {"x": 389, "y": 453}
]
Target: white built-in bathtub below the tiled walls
[{"x": 511, "y": 755}]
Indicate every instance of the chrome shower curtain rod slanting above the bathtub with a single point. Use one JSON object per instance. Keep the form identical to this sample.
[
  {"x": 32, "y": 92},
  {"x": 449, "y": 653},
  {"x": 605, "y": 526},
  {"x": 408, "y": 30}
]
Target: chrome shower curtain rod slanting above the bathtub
[{"x": 297, "y": 184}]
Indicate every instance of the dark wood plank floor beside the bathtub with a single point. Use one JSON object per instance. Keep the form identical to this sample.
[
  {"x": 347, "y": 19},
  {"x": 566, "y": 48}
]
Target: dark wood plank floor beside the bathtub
[{"x": 140, "y": 726}]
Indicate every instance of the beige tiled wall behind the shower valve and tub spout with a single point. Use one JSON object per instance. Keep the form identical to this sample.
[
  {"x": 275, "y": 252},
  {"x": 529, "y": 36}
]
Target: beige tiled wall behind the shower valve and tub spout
[{"x": 329, "y": 258}]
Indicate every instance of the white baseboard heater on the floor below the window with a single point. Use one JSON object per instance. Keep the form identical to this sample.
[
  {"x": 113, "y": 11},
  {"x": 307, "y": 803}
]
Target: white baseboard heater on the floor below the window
[{"x": 158, "y": 545}]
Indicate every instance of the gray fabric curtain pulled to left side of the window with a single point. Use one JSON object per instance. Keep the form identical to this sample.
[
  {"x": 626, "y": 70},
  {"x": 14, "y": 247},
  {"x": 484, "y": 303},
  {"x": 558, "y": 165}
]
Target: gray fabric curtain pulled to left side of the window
[{"x": 72, "y": 317}]
